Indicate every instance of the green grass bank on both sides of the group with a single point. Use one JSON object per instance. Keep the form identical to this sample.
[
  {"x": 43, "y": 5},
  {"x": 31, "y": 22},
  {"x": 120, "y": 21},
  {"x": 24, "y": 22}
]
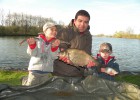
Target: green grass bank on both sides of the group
[{"x": 13, "y": 77}]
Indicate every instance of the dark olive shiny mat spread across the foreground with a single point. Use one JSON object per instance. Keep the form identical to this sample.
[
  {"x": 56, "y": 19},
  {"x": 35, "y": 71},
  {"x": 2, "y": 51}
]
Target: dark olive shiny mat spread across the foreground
[{"x": 72, "y": 88}]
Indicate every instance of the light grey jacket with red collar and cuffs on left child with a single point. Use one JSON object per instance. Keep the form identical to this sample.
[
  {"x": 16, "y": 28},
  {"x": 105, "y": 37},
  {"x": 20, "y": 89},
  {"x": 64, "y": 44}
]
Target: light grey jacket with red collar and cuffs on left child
[{"x": 42, "y": 55}]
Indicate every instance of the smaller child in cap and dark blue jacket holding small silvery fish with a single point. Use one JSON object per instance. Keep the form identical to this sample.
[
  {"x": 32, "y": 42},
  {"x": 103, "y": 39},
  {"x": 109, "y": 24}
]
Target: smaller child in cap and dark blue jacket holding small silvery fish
[{"x": 109, "y": 66}]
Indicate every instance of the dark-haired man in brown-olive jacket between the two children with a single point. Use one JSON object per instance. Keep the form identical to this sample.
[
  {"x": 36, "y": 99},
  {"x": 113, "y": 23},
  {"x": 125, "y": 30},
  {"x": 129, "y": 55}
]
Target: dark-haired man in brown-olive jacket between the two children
[{"x": 78, "y": 35}]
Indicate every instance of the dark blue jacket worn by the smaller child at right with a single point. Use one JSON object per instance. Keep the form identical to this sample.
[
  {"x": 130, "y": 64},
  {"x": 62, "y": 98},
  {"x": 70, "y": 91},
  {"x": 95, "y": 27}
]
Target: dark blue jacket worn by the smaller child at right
[{"x": 111, "y": 63}]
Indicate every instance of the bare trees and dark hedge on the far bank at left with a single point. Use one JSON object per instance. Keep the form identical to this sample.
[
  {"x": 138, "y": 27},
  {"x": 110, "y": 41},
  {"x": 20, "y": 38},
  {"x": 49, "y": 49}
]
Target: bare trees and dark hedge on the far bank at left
[{"x": 18, "y": 24}]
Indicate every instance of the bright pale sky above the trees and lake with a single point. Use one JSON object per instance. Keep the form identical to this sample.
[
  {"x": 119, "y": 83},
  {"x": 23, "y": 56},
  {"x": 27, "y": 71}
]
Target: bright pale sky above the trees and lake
[{"x": 107, "y": 16}]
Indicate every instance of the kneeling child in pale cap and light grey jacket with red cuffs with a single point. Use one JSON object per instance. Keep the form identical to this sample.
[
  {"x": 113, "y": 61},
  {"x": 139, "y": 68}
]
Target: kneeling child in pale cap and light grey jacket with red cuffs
[{"x": 43, "y": 52}]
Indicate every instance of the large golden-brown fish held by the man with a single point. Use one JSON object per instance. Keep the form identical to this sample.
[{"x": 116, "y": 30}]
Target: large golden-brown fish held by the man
[{"x": 78, "y": 57}]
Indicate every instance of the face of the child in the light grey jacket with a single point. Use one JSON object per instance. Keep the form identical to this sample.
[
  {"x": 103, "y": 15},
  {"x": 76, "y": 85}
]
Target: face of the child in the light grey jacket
[{"x": 51, "y": 32}]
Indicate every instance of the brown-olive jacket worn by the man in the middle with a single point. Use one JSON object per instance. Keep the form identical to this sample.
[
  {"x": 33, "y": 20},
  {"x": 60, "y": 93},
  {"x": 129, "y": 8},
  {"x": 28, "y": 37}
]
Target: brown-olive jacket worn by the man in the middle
[{"x": 82, "y": 41}]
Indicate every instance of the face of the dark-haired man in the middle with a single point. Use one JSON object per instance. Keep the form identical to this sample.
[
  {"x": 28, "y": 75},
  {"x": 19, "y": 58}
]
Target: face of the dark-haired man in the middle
[{"x": 81, "y": 23}]
